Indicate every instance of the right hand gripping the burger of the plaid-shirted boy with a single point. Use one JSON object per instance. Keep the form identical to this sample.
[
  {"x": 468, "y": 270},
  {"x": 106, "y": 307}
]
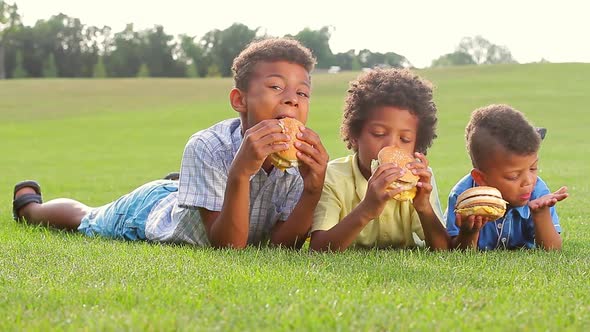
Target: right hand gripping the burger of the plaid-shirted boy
[{"x": 314, "y": 158}]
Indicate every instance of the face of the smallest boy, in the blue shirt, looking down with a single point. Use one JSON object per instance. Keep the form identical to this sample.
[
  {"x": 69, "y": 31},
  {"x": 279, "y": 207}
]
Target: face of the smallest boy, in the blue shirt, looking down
[{"x": 514, "y": 175}]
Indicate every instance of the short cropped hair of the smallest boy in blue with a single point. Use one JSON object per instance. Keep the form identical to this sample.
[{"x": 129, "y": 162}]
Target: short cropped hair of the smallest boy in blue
[{"x": 499, "y": 126}]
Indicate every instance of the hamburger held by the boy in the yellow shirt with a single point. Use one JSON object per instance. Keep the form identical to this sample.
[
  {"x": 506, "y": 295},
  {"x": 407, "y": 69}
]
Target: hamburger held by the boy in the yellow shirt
[{"x": 401, "y": 158}]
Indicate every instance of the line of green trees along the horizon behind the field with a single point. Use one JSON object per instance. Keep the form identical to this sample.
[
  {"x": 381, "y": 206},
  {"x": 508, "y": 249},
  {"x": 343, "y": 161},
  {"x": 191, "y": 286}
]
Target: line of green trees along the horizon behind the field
[{"x": 62, "y": 46}]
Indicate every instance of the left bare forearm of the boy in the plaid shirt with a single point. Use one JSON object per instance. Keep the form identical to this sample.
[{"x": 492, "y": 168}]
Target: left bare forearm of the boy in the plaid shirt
[{"x": 230, "y": 228}]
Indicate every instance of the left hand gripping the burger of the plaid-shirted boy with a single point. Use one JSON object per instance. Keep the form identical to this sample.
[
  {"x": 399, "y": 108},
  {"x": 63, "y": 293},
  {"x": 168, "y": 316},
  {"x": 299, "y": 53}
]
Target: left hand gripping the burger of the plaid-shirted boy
[{"x": 262, "y": 139}]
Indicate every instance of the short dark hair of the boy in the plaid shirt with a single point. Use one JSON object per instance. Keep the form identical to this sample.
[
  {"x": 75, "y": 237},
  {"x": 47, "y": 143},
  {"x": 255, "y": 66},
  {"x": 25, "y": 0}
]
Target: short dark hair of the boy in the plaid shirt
[{"x": 269, "y": 50}]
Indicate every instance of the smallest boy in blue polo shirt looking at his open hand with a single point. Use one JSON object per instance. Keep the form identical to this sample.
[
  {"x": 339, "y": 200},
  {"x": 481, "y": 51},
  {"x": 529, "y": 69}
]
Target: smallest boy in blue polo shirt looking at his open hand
[{"x": 503, "y": 147}]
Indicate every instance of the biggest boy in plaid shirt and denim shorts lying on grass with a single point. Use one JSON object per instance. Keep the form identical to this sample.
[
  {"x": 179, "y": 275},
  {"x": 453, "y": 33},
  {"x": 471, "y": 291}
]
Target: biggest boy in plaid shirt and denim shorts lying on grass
[{"x": 228, "y": 194}]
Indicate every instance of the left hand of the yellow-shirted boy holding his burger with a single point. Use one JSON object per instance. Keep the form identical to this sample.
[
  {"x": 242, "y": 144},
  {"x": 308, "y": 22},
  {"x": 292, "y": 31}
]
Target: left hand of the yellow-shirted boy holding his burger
[{"x": 378, "y": 193}]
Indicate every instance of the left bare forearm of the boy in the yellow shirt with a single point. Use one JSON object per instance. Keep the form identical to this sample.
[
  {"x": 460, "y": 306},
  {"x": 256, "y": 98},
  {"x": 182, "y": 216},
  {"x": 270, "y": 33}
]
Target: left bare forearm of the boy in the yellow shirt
[{"x": 343, "y": 234}]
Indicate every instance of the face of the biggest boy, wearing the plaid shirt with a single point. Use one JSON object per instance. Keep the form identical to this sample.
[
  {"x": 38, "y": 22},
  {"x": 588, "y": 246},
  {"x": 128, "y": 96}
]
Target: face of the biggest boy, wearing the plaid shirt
[{"x": 276, "y": 90}]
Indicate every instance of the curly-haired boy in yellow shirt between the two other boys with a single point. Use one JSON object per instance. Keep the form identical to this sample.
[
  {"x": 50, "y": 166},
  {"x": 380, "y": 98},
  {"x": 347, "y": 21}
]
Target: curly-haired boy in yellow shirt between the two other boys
[{"x": 383, "y": 108}]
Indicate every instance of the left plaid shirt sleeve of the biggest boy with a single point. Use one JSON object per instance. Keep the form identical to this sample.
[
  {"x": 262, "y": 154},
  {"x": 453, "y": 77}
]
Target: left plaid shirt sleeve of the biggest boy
[{"x": 203, "y": 176}]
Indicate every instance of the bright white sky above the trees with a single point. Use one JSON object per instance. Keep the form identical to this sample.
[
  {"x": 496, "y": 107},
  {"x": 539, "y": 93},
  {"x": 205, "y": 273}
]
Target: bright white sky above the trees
[{"x": 421, "y": 30}]
